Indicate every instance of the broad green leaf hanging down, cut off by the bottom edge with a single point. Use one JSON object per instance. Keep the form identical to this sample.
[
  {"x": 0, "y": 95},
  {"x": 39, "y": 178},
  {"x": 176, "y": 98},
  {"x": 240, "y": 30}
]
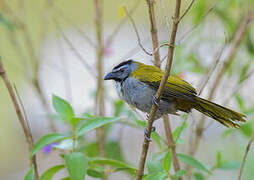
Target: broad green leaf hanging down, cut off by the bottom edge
[{"x": 76, "y": 165}]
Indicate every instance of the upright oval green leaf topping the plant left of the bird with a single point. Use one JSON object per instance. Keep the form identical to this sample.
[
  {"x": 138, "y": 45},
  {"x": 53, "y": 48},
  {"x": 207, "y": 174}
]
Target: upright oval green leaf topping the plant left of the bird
[{"x": 63, "y": 108}]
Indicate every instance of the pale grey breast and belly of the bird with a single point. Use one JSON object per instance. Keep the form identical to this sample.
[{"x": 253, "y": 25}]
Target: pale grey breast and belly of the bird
[{"x": 139, "y": 95}]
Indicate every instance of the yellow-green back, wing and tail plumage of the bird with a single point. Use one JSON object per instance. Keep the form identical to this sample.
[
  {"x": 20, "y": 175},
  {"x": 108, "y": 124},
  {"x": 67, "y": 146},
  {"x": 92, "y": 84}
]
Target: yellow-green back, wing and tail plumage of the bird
[{"x": 185, "y": 95}]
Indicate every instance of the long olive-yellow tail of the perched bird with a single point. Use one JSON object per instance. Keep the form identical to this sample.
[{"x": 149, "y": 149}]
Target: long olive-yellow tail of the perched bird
[{"x": 225, "y": 116}]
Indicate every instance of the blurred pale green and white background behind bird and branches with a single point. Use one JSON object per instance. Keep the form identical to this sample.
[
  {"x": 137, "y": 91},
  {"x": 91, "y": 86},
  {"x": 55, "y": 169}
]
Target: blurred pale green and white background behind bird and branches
[{"x": 41, "y": 44}]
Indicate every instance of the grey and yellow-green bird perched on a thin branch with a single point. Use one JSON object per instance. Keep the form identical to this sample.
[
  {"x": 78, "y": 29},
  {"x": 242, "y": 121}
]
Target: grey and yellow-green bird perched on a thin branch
[{"x": 137, "y": 84}]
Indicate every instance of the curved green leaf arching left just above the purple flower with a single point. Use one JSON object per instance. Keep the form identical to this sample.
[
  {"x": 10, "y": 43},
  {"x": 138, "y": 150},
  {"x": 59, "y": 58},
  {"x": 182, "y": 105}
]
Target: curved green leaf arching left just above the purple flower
[{"x": 46, "y": 140}]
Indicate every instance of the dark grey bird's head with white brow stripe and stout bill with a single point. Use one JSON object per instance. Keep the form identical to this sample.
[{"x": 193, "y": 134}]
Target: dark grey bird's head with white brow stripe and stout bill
[{"x": 122, "y": 71}]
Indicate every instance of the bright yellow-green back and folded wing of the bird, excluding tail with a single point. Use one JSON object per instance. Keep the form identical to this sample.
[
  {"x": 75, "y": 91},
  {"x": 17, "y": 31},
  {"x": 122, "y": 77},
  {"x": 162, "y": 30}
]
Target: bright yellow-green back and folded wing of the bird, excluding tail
[{"x": 175, "y": 87}]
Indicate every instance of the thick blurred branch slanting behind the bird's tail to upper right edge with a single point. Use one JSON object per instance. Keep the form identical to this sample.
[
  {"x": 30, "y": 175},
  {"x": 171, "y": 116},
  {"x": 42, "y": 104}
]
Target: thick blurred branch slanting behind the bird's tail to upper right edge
[{"x": 235, "y": 44}]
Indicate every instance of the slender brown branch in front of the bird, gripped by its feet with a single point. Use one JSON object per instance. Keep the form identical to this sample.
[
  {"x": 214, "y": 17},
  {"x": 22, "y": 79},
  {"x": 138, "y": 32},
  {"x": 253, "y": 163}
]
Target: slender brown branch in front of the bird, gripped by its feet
[{"x": 154, "y": 108}]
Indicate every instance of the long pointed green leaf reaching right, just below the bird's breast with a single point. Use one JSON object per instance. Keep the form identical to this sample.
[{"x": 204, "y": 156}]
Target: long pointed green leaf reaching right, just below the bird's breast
[{"x": 93, "y": 123}]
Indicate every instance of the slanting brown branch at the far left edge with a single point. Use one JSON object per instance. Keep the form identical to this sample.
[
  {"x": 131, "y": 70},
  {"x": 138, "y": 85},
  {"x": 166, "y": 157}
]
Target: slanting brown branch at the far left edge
[{"x": 21, "y": 118}]
